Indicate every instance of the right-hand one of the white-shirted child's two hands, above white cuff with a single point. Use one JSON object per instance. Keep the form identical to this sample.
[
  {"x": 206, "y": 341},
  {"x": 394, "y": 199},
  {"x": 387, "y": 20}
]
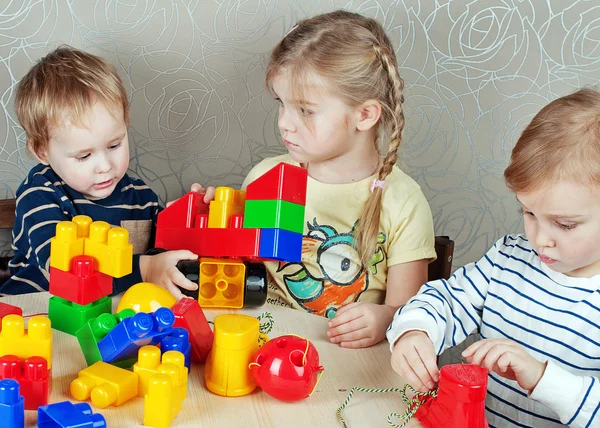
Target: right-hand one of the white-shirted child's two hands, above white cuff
[{"x": 508, "y": 359}]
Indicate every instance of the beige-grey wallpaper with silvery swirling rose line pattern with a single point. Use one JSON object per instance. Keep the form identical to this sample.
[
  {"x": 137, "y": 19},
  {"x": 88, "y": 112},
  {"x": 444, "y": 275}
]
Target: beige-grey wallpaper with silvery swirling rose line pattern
[{"x": 476, "y": 72}]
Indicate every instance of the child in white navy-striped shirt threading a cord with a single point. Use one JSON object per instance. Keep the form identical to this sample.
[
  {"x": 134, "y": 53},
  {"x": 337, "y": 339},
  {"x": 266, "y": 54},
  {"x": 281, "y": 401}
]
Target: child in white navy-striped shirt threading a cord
[{"x": 535, "y": 299}]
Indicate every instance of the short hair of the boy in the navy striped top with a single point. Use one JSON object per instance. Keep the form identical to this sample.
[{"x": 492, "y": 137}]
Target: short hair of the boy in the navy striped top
[{"x": 64, "y": 85}]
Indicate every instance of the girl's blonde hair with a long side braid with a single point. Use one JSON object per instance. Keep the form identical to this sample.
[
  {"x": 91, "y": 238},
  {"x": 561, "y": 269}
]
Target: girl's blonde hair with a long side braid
[{"x": 355, "y": 57}]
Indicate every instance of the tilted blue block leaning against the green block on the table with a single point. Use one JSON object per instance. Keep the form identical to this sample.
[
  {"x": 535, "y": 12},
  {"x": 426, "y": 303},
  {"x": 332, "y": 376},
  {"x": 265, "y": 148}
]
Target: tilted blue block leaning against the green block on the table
[{"x": 124, "y": 341}]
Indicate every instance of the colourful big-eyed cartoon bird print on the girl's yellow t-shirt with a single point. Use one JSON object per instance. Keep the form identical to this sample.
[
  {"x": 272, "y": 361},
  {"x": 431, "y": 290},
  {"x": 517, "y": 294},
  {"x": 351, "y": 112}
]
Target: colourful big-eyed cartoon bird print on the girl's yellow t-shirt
[{"x": 331, "y": 274}]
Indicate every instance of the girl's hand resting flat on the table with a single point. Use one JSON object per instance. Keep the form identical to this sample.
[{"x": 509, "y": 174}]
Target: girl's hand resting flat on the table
[{"x": 359, "y": 325}]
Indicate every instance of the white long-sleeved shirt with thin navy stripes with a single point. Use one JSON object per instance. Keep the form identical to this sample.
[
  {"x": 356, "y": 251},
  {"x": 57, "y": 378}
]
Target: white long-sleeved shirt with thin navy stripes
[{"x": 510, "y": 294}]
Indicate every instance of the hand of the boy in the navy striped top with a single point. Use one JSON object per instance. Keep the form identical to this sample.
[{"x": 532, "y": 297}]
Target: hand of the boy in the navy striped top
[{"x": 160, "y": 269}]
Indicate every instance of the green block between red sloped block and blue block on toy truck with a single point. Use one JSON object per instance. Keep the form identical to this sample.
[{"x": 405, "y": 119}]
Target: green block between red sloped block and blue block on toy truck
[{"x": 274, "y": 214}]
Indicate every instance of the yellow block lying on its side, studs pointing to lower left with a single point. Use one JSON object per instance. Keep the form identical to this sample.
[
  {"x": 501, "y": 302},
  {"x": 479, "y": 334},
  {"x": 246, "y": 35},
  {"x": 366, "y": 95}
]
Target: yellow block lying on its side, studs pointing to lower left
[{"x": 105, "y": 384}]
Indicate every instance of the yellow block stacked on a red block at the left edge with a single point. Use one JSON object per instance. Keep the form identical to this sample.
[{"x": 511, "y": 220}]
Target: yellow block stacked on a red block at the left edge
[{"x": 26, "y": 357}]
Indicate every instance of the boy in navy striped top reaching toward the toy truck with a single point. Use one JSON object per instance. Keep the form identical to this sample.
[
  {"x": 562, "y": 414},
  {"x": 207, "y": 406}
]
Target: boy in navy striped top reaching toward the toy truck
[{"x": 74, "y": 110}]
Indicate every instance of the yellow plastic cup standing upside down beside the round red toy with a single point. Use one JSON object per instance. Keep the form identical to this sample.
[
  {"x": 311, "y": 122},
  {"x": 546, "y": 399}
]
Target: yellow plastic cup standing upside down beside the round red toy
[{"x": 236, "y": 342}]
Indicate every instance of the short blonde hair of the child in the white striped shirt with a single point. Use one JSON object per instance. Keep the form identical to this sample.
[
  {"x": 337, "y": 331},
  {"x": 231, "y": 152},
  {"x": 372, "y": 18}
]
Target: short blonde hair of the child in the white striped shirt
[{"x": 561, "y": 142}]
